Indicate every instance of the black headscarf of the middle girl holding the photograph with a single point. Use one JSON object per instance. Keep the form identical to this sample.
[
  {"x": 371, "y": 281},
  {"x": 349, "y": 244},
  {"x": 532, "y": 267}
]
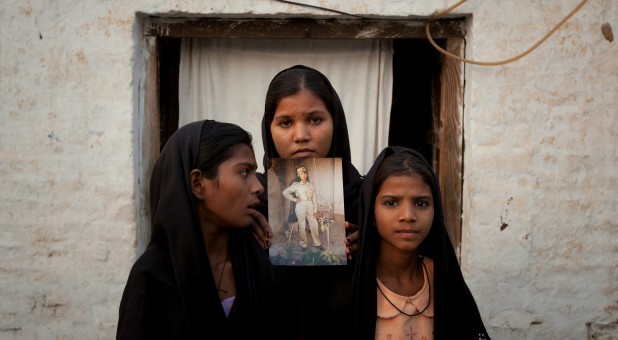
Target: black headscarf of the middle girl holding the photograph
[{"x": 340, "y": 145}]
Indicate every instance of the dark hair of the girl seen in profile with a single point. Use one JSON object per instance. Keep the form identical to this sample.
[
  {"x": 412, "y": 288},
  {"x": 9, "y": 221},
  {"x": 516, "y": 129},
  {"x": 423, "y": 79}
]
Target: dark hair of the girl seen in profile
[{"x": 217, "y": 142}]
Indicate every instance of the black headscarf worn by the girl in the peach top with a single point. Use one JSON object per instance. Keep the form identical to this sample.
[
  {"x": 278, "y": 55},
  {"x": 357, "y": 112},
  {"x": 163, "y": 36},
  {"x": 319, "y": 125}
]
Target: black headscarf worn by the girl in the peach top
[{"x": 456, "y": 313}]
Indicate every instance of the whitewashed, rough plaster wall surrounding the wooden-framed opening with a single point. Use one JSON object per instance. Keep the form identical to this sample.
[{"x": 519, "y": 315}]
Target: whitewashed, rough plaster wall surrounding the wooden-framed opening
[{"x": 540, "y": 157}]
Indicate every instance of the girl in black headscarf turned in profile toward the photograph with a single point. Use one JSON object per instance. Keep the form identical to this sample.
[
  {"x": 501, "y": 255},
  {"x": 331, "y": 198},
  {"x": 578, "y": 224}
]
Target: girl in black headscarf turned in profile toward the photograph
[{"x": 203, "y": 275}]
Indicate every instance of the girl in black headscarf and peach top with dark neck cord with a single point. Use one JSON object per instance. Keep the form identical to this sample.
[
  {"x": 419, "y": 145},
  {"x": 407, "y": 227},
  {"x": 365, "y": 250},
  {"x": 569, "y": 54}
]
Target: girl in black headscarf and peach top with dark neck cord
[{"x": 407, "y": 280}]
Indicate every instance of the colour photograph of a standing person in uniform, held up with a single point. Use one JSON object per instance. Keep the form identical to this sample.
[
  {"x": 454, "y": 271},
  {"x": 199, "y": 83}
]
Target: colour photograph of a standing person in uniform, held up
[{"x": 306, "y": 212}]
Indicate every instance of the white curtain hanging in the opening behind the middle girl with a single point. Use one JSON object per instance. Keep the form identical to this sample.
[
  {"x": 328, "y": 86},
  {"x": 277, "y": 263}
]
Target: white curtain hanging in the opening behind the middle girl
[{"x": 227, "y": 79}]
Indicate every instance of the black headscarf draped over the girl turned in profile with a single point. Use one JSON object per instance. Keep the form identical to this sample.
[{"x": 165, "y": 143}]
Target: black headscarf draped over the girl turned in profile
[{"x": 170, "y": 292}]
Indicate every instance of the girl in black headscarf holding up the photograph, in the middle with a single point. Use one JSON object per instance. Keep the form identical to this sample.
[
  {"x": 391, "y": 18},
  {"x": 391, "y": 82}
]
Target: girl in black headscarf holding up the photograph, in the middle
[{"x": 303, "y": 118}]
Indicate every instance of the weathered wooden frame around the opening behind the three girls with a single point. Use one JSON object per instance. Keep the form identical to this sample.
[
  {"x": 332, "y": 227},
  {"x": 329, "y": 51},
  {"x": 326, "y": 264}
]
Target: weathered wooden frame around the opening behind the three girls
[{"x": 448, "y": 115}]
